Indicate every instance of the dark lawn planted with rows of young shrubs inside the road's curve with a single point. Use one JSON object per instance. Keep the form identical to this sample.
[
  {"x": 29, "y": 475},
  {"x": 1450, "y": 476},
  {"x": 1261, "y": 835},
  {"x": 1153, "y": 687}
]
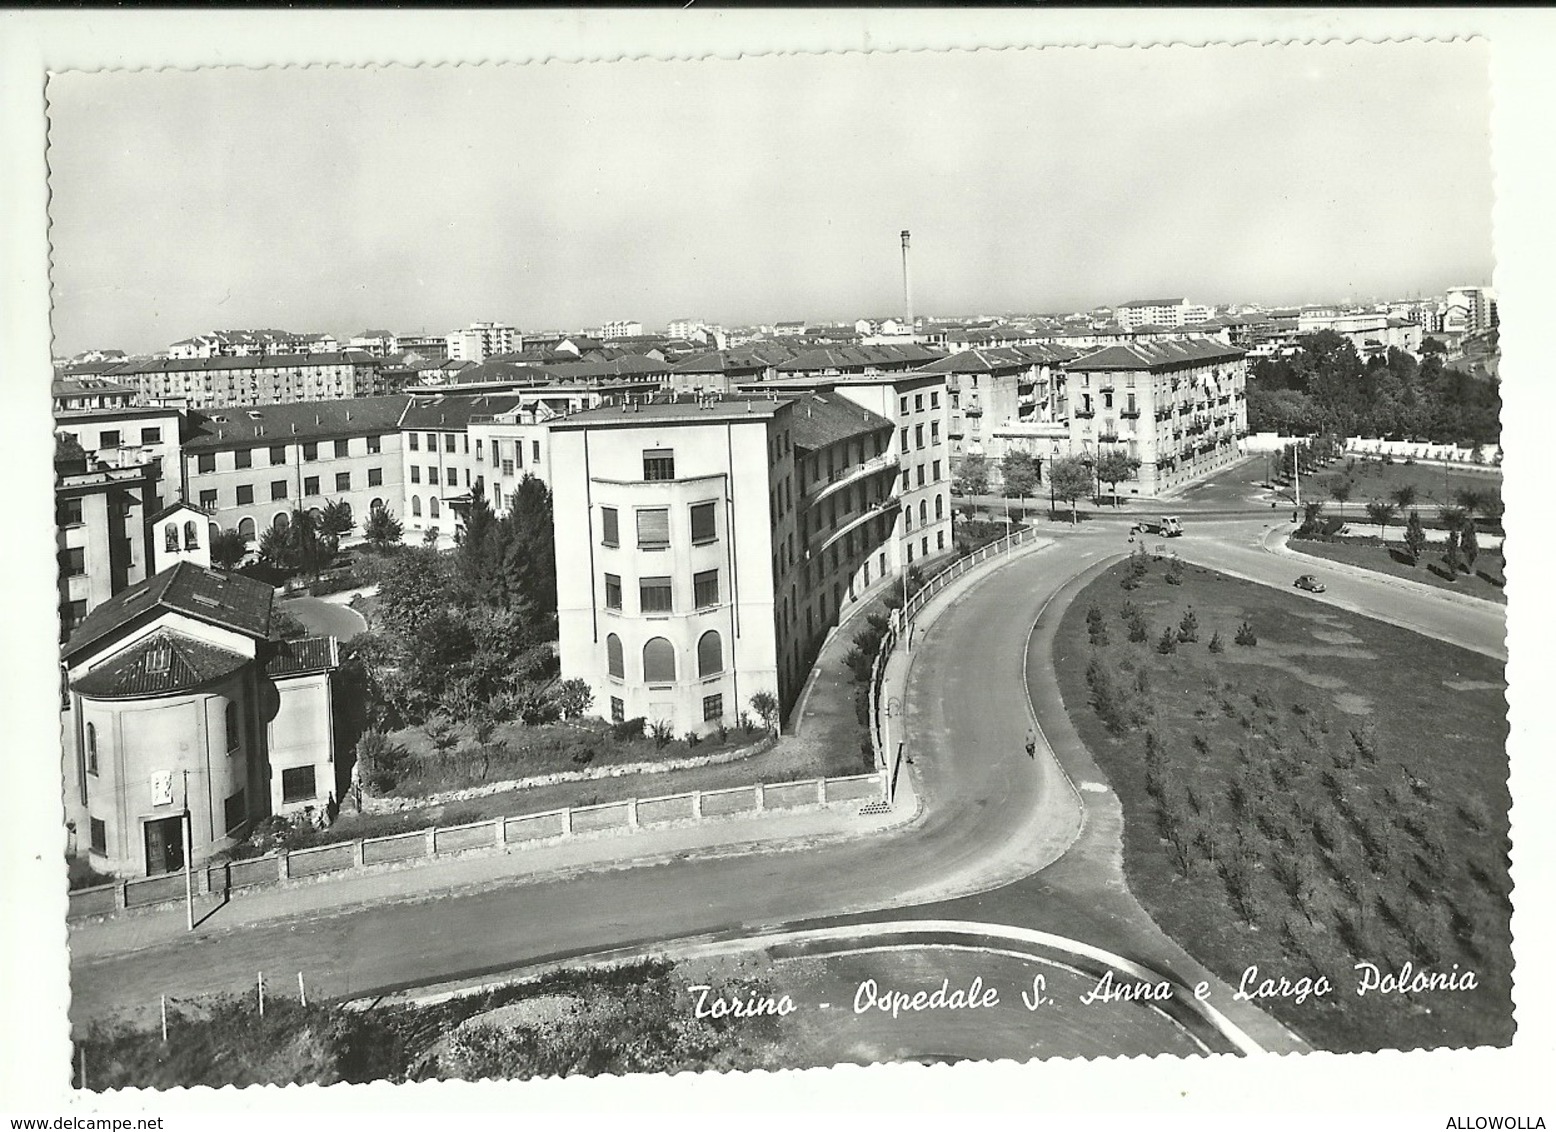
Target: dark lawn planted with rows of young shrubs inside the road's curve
[{"x": 1336, "y": 794}]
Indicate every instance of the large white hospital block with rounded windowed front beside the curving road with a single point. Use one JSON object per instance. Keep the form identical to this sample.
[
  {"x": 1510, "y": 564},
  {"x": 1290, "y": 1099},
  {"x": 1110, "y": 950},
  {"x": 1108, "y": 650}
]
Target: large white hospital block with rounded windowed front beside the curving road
[{"x": 707, "y": 545}]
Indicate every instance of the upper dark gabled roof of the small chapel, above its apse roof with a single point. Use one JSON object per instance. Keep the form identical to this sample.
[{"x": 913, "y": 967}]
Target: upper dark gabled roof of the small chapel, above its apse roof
[{"x": 231, "y": 601}]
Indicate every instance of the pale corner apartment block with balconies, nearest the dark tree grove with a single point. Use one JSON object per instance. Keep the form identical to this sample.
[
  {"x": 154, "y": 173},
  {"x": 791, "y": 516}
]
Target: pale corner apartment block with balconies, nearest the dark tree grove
[{"x": 1179, "y": 407}]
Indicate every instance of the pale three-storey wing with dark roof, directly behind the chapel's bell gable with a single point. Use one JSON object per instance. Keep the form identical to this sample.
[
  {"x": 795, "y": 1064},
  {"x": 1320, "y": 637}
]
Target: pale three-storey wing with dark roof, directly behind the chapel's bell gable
[{"x": 251, "y": 467}]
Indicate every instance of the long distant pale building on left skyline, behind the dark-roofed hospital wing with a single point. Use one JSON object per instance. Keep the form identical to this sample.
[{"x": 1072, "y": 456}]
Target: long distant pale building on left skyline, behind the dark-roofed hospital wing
[{"x": 214, "y": 383}]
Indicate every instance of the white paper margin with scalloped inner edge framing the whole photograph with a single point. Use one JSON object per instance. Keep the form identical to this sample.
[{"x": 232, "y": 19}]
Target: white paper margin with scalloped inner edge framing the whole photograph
[{"x": 1431, "y": 1088}]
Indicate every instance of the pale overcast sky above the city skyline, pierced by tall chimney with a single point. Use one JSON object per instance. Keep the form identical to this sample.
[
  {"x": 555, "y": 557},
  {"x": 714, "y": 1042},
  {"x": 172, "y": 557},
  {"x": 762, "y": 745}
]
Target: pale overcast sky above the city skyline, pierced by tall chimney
[{"x": 757, "y": 190}]
